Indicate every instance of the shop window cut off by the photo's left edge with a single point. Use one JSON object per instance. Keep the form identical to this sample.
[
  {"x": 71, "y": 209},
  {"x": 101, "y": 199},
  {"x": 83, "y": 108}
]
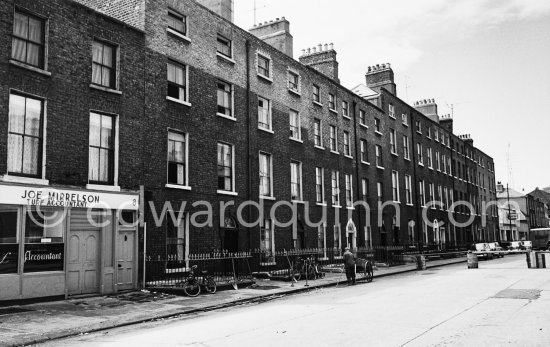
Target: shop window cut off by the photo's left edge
[{"x": 9, "y": 243}]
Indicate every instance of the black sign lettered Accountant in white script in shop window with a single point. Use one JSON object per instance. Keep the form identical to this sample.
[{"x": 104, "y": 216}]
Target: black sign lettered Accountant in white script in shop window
[{"x": 43, "y": 257}]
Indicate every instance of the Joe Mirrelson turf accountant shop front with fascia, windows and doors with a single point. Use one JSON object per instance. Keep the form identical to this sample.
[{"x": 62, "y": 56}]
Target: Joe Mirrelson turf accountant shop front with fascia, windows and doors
[{"x": 61, "y": 242}]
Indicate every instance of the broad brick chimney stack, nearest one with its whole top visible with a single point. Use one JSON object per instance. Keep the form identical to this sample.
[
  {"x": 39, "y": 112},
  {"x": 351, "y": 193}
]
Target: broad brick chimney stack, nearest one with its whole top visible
[{"x": 276, "y": 33}]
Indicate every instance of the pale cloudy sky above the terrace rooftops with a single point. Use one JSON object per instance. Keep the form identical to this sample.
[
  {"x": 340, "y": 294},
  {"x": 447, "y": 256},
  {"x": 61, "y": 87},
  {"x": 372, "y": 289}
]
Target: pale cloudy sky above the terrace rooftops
[{"x": 485, "y": 61}]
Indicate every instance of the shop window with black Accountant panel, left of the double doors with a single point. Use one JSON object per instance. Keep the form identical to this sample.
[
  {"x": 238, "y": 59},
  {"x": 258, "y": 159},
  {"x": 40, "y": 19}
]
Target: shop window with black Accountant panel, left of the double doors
[{"x": 44, "y": 245}]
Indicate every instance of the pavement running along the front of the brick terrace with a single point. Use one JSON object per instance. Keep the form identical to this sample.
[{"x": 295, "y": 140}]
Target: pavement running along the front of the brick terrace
[{"x": 42, "y": 322}]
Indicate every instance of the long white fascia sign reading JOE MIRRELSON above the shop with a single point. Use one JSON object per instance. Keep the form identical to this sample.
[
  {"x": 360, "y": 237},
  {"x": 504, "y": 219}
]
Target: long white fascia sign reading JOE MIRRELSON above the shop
[{"x": 47, "y": 197}]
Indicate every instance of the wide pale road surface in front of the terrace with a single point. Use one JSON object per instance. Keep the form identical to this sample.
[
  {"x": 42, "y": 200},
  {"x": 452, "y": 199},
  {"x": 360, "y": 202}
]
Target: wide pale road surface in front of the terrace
[{"x": 502, "y": 303}]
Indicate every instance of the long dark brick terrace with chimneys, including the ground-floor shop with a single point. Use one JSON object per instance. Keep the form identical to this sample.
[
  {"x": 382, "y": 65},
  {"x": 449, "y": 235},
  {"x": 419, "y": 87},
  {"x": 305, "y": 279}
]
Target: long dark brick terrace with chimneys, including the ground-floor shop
[{"x": 98, "y": 99}]
